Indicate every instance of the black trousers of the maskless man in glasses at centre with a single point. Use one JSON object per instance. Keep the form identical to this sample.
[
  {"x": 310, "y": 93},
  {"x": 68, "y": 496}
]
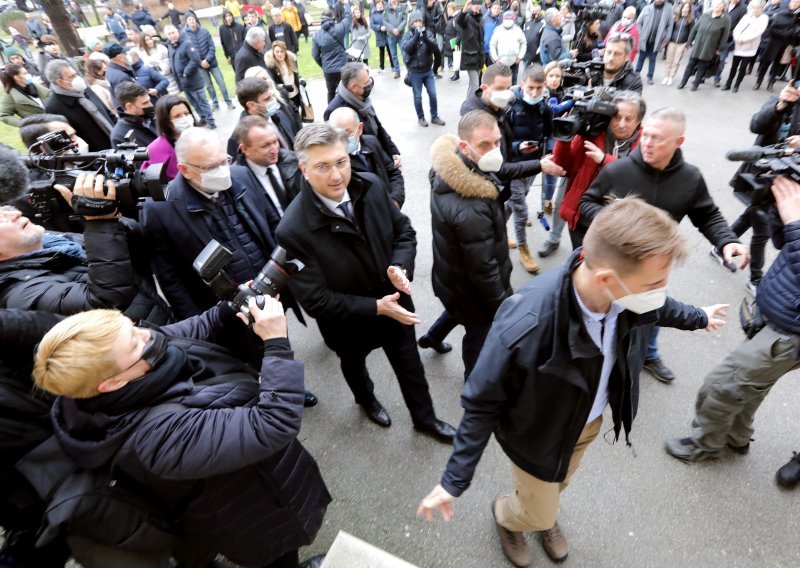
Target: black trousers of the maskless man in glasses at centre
[{"x": 400, "y": 345}]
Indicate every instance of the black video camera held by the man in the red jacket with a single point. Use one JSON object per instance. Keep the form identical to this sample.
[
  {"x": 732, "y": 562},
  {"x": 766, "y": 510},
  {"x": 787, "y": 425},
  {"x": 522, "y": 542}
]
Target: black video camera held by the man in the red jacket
[{"x": 590, "y": 115}]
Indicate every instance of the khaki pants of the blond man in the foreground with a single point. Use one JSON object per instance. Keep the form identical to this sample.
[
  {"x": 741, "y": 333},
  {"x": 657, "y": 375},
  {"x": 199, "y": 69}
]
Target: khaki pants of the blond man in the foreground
[{"x": 533, "y": 506}]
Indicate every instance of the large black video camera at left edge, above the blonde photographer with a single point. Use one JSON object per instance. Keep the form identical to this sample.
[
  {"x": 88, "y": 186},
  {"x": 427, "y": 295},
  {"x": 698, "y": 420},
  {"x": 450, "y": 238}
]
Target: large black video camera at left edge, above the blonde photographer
[{"x": 57, "y": 161}]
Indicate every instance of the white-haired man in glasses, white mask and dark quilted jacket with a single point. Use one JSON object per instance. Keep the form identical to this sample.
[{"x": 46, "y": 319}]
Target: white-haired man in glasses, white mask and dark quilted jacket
[{"x": 205, "y": 201}]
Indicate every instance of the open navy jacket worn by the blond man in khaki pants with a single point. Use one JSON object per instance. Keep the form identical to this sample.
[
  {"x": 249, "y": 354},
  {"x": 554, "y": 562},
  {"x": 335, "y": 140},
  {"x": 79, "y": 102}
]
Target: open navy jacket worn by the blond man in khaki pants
[{"x": 537, "y": 376}]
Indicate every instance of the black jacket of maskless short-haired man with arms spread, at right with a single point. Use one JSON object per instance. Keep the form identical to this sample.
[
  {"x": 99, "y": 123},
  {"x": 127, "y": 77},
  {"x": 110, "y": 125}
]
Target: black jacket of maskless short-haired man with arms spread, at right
[{"x": 679, "y": 189}]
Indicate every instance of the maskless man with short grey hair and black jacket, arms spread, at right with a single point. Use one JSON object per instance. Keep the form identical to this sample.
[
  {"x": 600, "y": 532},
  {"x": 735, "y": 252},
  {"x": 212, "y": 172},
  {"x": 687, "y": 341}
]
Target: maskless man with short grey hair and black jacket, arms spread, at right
[{"x": 656, "y": 172}]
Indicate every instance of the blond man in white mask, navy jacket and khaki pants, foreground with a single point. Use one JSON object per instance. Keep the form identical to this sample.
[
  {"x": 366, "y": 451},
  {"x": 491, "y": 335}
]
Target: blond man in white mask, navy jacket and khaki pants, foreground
[{"x": 560, "y": 350}]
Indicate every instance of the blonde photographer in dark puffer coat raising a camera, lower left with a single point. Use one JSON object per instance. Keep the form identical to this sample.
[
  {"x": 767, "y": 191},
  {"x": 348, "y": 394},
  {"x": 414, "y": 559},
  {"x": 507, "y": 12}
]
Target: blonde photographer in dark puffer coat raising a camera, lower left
[{"x": 135, "y": 397}]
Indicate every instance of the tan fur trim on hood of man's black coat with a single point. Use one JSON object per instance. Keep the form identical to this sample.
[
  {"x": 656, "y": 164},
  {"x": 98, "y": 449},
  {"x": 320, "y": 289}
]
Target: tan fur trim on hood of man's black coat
[{"x": 448, "y": 164}]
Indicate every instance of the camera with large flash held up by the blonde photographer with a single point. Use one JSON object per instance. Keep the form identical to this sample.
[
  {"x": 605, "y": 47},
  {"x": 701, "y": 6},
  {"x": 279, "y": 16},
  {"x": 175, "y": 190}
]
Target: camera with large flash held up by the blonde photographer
[{"x": 269, "y": 282}]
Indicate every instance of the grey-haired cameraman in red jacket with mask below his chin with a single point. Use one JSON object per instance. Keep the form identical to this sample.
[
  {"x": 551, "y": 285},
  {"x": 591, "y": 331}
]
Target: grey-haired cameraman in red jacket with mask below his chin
[{"x": 584, "y": 159}]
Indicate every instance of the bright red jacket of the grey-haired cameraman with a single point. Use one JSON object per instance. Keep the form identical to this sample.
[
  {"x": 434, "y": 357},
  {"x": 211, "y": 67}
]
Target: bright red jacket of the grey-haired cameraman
[{"x": 581, "y": 172}]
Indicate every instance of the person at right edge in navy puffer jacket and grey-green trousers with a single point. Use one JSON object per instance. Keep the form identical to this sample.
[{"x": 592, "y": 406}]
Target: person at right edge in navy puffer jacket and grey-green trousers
[{"x": 733, "y": 391}]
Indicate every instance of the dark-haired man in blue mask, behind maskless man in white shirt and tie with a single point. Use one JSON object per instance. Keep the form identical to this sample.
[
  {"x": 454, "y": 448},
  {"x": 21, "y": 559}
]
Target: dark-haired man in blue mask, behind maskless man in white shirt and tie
[{"x": 258, "y": 99}]
